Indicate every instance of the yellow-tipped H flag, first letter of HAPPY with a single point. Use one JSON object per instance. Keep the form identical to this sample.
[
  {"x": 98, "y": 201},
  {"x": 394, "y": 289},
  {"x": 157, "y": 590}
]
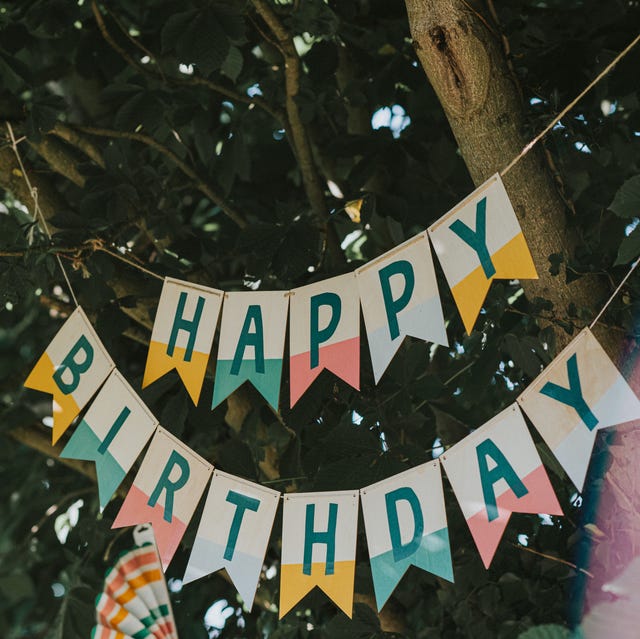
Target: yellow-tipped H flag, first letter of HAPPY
[{"x": 182, "y": 334}]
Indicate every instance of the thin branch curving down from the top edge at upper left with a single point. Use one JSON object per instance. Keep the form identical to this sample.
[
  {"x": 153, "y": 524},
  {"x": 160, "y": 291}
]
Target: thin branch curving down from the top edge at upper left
[{"x": 274, "y": 112}]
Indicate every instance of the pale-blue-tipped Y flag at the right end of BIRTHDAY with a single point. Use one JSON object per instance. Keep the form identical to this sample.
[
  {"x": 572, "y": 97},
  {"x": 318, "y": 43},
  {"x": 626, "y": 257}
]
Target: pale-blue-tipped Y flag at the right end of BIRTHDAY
[{"x": 579, "y": 393}]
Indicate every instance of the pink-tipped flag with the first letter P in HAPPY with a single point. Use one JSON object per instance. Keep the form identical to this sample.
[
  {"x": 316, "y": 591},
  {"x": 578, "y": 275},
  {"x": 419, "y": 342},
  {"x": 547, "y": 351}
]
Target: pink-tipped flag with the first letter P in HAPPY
[{"x": 324, "y": 332}]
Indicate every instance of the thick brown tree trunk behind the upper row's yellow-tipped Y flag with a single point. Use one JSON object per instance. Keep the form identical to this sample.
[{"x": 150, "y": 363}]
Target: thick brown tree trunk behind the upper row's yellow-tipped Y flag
[{"x": 467, "y": 68}]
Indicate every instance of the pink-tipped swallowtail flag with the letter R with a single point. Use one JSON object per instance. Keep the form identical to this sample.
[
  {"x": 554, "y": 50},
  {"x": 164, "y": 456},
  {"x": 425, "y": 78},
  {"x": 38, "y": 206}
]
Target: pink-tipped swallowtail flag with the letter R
[{"x": 165, "y": 492}]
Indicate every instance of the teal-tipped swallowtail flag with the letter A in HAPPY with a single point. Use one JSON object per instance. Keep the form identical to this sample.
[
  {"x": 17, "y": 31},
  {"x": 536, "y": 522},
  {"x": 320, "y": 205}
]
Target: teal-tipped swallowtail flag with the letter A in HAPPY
[{"x": 251, "y": 344}]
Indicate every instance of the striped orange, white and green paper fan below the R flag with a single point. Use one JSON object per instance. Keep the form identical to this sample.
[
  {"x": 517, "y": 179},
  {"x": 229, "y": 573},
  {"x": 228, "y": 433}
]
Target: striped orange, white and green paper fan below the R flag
[{"x": 135, "y": 599}]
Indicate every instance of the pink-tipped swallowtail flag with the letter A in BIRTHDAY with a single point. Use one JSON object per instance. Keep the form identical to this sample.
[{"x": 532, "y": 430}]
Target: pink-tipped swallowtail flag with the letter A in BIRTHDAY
[{"x": 494, "y": 471}]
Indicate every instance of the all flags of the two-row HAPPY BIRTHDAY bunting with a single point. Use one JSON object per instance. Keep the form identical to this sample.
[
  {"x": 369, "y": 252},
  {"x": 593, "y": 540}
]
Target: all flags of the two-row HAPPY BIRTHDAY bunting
[{"x": 494, "y": 471}]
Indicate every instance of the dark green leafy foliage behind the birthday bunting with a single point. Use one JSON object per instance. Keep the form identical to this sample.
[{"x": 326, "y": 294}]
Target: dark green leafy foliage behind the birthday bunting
[{"x": 173, "y": 117}]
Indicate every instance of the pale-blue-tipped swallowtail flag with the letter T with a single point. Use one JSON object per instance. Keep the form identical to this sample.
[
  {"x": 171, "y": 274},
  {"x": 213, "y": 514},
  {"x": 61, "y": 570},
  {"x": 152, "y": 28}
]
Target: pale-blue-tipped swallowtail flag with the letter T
[{"x": 234, "y": 533}]
